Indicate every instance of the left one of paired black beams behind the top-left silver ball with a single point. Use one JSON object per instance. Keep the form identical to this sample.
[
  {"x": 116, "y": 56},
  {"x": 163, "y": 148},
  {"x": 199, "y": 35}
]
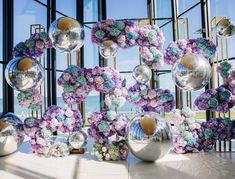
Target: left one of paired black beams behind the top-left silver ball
[{"x": 48, "y": 57}]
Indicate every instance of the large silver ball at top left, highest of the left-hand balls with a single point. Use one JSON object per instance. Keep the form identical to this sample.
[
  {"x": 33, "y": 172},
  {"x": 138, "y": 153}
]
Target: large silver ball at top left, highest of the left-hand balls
[{"x": 67, "y": 34}]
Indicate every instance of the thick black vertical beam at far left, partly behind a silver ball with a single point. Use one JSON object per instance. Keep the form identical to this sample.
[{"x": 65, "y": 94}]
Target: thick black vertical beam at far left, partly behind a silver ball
[{"x": 8, "y": 41}]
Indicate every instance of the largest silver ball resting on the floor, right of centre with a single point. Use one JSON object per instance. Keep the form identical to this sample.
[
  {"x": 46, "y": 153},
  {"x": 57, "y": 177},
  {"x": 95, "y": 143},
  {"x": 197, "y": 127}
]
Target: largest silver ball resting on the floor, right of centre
[{"x": 149, "y": 136}]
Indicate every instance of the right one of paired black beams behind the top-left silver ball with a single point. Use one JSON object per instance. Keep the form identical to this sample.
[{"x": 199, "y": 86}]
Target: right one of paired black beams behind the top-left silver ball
[{"x": 53, "y": 59}]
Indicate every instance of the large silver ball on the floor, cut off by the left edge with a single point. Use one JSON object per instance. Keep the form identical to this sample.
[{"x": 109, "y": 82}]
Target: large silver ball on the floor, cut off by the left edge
[{"x": 11, "y": 133}]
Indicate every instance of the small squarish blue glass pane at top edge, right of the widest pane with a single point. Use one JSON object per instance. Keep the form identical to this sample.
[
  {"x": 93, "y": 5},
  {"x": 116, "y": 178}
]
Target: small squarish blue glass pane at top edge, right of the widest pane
[{"x": 163, "y": 8}]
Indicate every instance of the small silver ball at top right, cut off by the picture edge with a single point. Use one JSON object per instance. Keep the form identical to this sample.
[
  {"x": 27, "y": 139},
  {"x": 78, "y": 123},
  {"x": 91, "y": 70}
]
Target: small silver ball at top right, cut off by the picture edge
[{"x": 225, "y": 28}]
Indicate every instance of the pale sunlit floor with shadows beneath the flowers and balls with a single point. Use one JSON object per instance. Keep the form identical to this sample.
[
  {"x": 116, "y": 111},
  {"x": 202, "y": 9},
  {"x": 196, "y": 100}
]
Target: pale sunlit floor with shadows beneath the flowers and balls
[{"x": 24, "y": 164}]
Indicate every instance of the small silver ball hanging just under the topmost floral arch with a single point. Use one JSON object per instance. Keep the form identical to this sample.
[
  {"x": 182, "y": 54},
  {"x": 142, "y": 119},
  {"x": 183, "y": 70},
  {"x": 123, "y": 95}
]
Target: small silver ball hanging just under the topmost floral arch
[{"x": 108, "y": 49}]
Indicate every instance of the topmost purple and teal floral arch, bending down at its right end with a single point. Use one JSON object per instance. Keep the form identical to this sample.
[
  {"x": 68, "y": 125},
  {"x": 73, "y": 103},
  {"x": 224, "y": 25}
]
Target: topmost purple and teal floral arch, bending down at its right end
[{"x": 127, "y": 34}]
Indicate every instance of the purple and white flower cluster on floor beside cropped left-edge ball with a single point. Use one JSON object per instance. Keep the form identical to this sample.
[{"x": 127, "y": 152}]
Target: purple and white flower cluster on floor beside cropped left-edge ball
[{"x": 55, "y": 119}]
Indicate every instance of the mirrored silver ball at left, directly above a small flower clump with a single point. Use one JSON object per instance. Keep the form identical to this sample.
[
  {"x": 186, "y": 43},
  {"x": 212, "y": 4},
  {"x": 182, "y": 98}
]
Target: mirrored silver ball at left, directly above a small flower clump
[{"x": 24, "y": 73}]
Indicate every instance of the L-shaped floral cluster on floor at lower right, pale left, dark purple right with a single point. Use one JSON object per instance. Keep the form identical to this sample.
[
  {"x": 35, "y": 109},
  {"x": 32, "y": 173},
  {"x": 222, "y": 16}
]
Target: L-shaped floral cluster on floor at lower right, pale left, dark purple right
[{"x": 192, "y": 136}]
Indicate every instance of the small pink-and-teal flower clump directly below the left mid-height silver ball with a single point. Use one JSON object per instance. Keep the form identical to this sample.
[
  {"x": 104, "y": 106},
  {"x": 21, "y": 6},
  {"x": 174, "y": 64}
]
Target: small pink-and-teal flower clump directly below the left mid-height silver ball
[{"x": 30, "y": 99}]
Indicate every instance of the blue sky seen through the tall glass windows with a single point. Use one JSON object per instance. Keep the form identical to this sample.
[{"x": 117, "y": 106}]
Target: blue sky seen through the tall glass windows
[{"x": 29, "y": 12}]
